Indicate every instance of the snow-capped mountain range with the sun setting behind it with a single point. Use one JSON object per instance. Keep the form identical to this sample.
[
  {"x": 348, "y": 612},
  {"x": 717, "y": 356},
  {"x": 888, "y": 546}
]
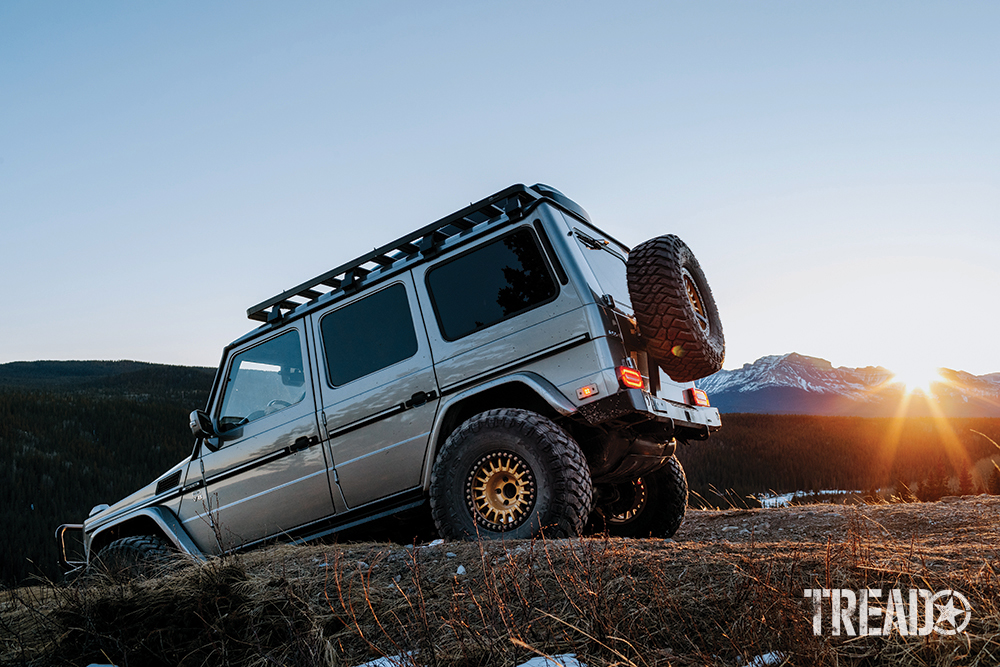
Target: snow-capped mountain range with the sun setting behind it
[{"x": 798, "y": 384}]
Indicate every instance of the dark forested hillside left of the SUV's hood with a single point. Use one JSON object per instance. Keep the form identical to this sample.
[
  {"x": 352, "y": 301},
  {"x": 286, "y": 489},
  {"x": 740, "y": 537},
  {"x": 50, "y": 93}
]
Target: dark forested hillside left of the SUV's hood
[{"x": 76, "y": 434}]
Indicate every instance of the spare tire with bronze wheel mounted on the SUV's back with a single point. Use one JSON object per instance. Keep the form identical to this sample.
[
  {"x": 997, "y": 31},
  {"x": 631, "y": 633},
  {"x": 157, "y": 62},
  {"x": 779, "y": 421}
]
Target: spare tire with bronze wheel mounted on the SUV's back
[{"x": 674, "y": 308}]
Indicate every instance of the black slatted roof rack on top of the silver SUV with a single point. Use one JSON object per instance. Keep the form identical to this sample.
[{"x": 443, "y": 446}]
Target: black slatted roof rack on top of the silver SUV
[{"x": 511, "y": 203}]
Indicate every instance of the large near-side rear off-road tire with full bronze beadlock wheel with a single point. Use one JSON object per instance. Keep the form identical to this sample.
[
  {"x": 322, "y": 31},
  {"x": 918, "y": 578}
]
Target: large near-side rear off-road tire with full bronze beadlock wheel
[{"x": 513, "y": 474}]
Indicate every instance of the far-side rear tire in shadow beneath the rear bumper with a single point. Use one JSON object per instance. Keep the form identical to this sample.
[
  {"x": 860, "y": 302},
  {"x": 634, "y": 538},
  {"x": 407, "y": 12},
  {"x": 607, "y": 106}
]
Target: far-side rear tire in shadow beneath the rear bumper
[{"x": 652, "y": 506}]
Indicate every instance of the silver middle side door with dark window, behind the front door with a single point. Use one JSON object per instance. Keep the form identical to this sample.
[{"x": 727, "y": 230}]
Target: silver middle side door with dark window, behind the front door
[{"x": 377, "y": 390}]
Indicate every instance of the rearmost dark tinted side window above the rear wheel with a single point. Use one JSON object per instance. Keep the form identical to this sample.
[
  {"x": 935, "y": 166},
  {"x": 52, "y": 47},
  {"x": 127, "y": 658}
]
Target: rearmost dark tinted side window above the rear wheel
[{"x": 497, "y": 281}]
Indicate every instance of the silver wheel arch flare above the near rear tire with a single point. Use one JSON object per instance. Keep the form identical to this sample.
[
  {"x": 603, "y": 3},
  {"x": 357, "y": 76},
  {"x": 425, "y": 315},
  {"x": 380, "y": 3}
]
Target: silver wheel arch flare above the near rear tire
[{"x": 527, "y": 391}]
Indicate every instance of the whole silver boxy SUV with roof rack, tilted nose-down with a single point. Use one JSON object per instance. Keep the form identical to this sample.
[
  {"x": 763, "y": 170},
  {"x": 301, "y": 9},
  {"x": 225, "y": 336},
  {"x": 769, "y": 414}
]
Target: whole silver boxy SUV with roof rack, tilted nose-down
[{"x": 511, "y": 367}]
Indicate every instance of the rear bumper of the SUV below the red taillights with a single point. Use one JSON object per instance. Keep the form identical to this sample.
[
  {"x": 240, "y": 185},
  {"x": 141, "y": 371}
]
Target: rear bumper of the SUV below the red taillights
[{"x": 633, "y": 406}]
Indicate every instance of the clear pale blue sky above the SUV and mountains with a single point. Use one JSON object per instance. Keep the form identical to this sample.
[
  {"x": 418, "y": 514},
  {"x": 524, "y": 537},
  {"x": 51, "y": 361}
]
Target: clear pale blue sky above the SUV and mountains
[{"x": 835, "y": 167}]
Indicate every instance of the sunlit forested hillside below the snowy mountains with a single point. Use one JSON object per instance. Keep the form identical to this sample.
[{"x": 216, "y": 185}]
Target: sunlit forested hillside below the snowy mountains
[{"x": 784, "y": 453}]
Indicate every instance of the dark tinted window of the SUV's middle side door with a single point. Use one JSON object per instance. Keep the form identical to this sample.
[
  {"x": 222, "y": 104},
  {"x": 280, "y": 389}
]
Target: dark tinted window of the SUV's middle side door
[{"x": 368, "y": 335}]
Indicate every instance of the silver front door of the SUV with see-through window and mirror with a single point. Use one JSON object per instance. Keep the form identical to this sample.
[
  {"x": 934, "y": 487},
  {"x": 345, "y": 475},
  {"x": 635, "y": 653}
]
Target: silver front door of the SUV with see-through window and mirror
[{"x": 270, "y": 473}]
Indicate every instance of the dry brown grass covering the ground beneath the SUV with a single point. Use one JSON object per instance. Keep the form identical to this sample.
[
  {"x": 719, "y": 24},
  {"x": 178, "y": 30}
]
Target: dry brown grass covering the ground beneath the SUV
[{"x": 715, "y": 596}]
